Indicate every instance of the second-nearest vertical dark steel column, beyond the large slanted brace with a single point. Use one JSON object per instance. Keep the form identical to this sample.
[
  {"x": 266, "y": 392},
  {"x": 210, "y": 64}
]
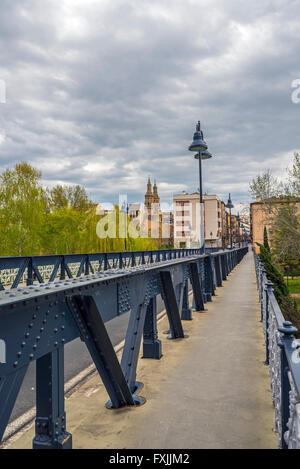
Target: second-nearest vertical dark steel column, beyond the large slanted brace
[{"x": 151, "y": 343}]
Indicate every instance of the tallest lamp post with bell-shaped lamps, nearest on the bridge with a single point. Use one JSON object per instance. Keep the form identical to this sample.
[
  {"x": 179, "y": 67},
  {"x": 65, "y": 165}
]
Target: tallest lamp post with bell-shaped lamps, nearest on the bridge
[{"x": 200, "y": 146}]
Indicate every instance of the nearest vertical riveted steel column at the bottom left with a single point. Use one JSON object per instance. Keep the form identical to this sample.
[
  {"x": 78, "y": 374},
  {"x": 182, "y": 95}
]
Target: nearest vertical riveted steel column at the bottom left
[{"x": 50, "y": 424}]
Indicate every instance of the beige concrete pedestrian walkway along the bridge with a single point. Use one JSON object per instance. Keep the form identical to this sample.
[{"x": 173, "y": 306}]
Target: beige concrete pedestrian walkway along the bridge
[{"x": 210, "y": 390}]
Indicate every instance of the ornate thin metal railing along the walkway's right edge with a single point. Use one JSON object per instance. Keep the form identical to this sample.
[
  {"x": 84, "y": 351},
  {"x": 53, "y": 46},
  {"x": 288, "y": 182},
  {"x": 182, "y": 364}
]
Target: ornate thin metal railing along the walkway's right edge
[{"x": 283, "y": 360}]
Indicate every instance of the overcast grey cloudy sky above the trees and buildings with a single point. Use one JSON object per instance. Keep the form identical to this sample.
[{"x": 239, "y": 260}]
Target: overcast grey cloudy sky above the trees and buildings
[{"x": 104, "y": 93}]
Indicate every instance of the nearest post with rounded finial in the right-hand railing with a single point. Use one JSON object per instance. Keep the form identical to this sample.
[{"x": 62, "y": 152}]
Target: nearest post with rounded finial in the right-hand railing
[{"x": 288, "y": 330}]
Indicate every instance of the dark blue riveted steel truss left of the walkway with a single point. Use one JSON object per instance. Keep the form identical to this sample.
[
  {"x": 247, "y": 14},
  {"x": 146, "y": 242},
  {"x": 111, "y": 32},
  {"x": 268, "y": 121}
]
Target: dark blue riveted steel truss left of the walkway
[{"x": 39, "y": 319}]
